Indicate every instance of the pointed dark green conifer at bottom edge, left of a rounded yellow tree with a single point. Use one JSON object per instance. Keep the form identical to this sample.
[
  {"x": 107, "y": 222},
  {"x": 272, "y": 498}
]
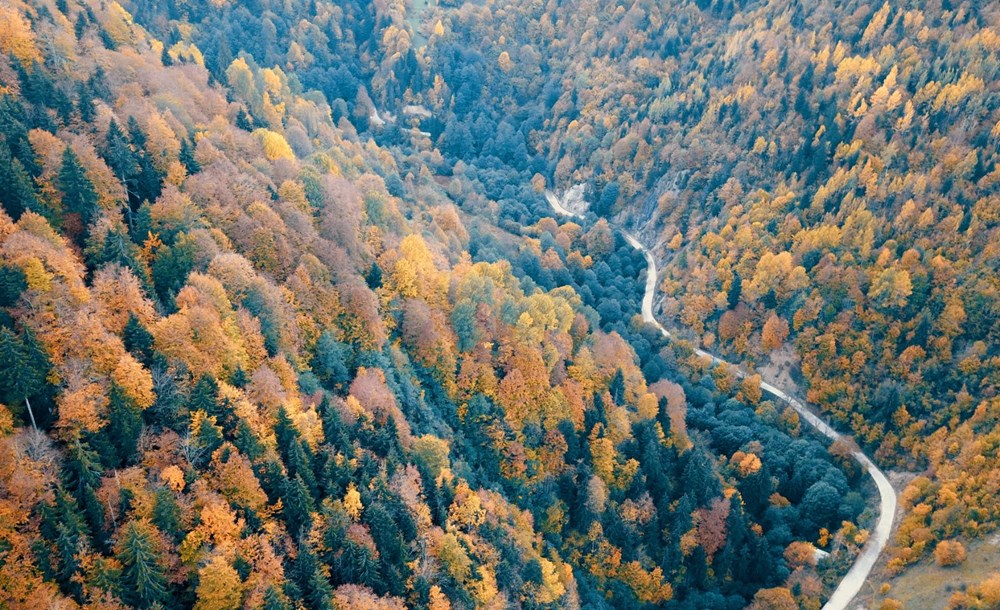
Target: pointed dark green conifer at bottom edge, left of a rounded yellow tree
[{"x": 142, "y": 576}]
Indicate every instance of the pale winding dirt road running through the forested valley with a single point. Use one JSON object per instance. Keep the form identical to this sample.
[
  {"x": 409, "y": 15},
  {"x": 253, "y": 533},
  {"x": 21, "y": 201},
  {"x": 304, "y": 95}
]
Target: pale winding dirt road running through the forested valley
[{"x": 856, "y": 576}]
